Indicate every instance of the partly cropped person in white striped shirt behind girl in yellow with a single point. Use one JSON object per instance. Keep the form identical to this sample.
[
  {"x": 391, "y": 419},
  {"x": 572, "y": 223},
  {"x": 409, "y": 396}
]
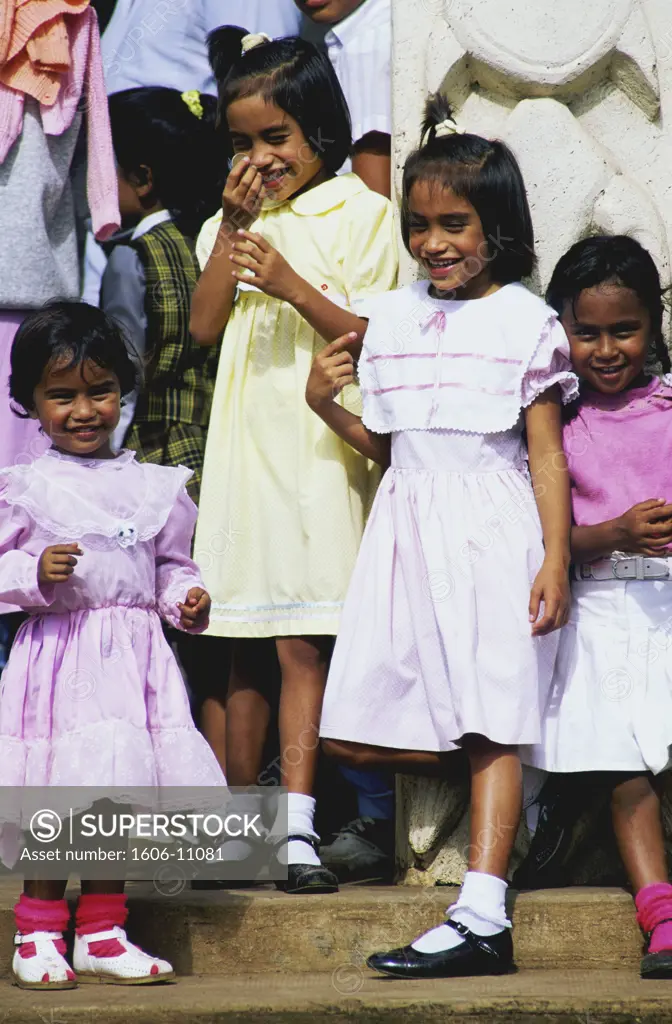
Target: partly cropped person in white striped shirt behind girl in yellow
[{"x": 360, "y": 47}]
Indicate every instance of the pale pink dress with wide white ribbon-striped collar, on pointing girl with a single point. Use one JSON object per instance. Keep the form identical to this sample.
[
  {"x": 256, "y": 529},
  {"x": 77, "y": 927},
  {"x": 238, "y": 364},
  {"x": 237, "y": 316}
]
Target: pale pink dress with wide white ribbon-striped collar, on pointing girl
[{"x": 436, "y": 642}]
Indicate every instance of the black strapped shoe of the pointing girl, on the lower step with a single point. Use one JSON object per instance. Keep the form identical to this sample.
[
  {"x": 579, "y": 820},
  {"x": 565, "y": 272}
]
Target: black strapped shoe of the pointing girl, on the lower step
[{"x": 478, "y": 955}]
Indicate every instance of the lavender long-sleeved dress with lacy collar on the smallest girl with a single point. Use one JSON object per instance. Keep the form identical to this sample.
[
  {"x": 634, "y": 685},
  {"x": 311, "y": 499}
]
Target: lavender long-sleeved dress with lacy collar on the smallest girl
[{"x": 93, "y": 695}]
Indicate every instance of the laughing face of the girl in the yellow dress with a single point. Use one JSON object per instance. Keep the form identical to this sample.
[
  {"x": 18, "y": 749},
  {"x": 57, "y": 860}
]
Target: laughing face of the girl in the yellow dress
[{"x": 276, "y": 146}]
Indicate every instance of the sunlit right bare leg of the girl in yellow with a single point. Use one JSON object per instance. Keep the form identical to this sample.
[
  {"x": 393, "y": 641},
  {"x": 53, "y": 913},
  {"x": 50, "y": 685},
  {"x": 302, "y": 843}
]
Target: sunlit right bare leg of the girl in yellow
[{"x": 304, "y": 663}]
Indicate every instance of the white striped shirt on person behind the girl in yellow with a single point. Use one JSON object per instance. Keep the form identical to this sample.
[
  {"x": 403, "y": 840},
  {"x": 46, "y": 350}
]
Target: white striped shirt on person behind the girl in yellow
[{"x": 360, "y": 48}]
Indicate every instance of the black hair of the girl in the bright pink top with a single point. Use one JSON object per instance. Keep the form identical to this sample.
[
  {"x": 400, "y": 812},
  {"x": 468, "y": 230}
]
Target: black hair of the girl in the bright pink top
[{"x": 618, "y": 260}]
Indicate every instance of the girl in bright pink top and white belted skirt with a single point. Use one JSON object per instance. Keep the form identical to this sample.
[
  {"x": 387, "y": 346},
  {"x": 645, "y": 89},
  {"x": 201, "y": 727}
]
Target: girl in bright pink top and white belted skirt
[{"x": 611, "y": 704}]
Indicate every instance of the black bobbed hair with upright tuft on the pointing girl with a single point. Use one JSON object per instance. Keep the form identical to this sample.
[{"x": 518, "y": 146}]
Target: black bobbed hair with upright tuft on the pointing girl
[{"x": 485, "y": 174}]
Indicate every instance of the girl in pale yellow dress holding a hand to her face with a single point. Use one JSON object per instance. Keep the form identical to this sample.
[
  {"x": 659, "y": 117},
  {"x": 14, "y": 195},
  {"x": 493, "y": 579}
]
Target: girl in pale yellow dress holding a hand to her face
[{"x": 284, "y": 500}]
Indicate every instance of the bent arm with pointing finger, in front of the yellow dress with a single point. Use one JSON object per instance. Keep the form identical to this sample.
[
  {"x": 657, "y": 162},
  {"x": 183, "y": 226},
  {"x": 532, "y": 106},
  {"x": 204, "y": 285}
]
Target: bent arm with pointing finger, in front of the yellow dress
[{"x": 332, "y": 370}]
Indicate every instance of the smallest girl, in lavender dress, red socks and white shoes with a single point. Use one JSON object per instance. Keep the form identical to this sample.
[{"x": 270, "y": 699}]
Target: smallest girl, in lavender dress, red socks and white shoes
[{"x": 96, "y": 548}]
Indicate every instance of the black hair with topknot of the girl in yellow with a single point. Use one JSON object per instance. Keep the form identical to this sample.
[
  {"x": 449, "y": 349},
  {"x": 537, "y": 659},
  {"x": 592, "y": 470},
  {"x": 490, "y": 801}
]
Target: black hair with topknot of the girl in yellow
[{"x": 292, "y": 74}]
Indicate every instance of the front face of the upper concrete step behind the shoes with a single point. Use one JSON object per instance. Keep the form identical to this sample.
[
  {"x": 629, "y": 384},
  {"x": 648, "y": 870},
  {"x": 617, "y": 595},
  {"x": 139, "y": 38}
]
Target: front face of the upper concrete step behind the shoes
[{"x": 261, "y": 932}]
